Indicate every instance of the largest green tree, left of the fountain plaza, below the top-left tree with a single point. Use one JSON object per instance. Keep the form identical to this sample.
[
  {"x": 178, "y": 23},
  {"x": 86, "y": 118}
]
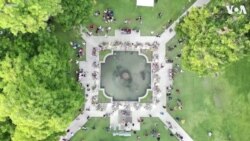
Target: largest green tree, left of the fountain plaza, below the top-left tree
[{"x": 37, "y": 91}]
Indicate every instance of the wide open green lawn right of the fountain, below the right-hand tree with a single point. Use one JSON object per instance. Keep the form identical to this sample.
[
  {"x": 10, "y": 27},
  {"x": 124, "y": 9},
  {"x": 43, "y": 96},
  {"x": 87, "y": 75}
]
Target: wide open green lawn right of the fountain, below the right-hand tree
[{"x": 218, "y": 104}]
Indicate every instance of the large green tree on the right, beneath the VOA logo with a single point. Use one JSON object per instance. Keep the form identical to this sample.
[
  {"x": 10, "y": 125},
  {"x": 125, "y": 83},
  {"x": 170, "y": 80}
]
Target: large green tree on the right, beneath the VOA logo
[{"x": 214, "y": 38}]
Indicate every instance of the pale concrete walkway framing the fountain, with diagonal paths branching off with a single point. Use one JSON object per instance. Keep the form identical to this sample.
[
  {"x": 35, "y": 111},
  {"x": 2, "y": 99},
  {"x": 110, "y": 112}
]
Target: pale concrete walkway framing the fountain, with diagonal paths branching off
[{"x": 155, "y": 109}]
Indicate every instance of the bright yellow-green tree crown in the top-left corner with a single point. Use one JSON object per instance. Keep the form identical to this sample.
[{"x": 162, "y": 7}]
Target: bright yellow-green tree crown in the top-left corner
[{"x": 27, "y": 15}]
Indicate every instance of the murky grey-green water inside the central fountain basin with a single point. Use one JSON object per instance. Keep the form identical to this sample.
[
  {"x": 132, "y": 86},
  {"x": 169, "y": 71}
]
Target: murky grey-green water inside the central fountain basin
[{"x": 125, "y": 76}]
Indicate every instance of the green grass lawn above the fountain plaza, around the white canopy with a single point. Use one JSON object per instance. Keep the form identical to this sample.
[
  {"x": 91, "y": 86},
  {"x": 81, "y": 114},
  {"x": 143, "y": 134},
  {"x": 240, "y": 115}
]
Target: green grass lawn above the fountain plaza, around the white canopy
[{"x": 127, "y": 9}]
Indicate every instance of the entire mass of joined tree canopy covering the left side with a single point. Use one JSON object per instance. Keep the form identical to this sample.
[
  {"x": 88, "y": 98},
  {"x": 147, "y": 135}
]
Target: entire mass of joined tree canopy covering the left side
[{"x": 39, "y": 97}]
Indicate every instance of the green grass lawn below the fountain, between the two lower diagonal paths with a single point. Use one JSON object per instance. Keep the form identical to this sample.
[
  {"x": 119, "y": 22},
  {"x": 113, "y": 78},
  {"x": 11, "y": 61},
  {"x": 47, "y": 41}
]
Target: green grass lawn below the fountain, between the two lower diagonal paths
[{"x": 100, "y": 133}]
